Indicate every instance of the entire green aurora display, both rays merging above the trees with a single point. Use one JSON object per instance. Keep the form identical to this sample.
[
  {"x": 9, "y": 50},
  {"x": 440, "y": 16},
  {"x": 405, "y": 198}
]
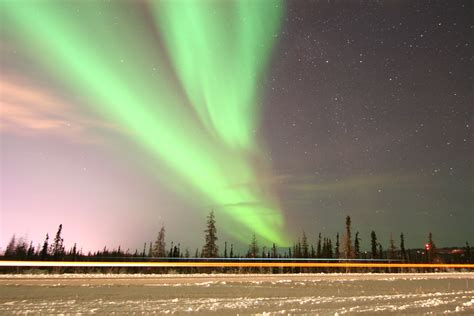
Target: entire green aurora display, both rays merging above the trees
[{"x": 193, "y": 106}]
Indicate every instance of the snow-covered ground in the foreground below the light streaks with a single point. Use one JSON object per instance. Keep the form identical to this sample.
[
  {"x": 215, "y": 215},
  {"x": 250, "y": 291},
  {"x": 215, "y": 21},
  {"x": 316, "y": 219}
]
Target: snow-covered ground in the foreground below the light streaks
[{"x": 335, "y": 294}]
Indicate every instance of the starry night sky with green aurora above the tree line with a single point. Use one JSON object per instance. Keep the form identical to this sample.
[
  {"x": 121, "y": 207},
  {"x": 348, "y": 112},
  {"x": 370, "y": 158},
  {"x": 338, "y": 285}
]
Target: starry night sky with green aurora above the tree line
[{"x": 282, "y": 117}]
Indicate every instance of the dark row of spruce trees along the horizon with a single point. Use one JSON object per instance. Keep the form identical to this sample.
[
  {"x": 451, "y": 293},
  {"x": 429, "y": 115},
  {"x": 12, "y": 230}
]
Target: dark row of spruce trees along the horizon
[{"x": 347, "y": 246}]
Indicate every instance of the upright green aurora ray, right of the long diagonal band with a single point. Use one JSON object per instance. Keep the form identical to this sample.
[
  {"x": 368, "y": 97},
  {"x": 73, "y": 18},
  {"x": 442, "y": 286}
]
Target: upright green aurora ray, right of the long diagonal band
[{"x": 219, "y": 53}]
